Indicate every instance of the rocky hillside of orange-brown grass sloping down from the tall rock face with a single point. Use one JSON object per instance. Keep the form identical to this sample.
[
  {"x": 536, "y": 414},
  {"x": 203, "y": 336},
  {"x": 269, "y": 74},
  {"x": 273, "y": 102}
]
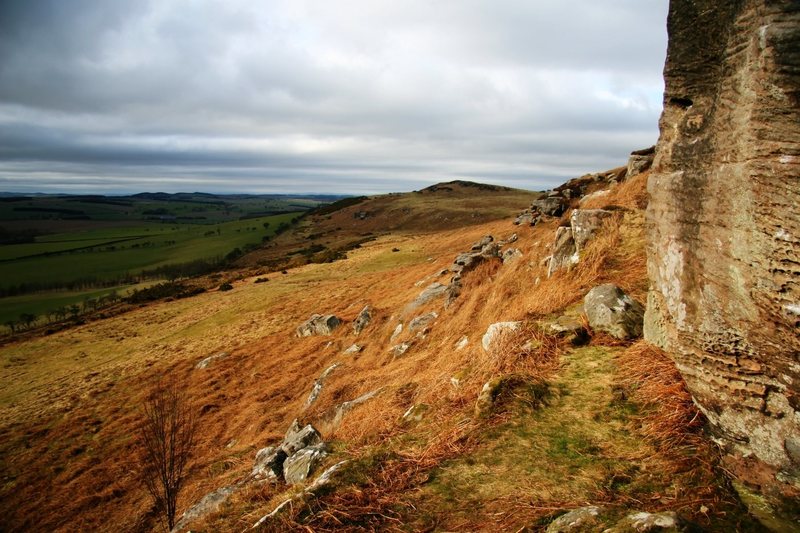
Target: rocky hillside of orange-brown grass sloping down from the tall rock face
[{"x": 571, "y": 418}]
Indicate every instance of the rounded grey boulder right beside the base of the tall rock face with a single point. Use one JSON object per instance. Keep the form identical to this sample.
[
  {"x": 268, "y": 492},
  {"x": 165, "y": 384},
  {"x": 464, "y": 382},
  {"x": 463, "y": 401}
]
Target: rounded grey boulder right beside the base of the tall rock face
[{"x": 612, "y": 311}]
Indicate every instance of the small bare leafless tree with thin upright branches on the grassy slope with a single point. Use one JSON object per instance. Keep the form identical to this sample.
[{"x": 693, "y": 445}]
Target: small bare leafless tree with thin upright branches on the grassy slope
[{"x": 167, "y": 435}]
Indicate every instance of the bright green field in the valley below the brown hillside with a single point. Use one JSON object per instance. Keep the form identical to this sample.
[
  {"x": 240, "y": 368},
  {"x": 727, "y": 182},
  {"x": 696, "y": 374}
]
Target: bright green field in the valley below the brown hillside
[{"x": 109, "y": 255}]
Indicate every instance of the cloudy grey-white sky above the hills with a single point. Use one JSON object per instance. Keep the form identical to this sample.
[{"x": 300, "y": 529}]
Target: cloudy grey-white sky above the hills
[{"x": 323, "y": 96}]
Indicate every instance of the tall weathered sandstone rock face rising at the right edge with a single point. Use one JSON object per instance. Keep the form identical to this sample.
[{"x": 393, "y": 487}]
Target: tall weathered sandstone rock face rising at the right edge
[{"x": 724, "y": 230}]
